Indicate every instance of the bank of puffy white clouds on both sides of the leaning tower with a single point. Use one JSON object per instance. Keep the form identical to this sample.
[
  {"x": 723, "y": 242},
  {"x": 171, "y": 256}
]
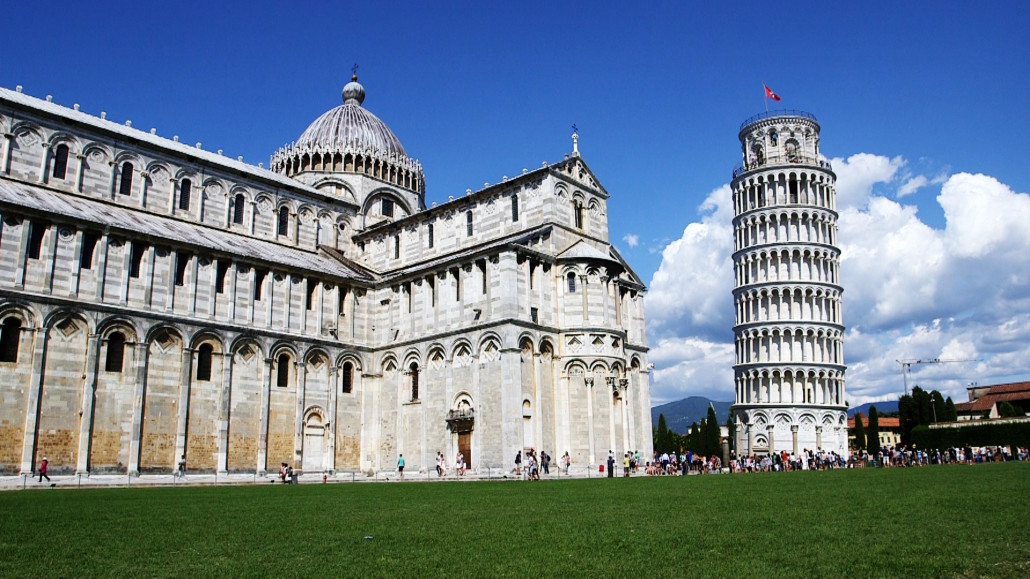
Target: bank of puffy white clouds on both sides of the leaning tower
[{"x": 962, "y": 292}]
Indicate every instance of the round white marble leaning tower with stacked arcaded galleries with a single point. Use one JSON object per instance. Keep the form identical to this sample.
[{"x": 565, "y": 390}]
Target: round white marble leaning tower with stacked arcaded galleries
[{"x": 788, "y": 332}]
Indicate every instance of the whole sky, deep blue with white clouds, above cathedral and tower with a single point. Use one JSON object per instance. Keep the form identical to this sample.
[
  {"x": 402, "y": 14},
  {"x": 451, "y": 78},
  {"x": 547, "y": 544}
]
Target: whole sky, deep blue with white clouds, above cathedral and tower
[{"x": 912, "y": 98}]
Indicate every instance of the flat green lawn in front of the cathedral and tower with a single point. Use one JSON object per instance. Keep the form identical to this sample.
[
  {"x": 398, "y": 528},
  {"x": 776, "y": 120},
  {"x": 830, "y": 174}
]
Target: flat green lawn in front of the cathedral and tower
[{"x": 960, "y": 521}]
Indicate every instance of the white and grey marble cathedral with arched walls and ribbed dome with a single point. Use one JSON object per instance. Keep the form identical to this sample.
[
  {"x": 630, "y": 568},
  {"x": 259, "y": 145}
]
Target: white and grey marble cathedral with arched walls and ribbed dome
[{"x": 159, "y": 300}]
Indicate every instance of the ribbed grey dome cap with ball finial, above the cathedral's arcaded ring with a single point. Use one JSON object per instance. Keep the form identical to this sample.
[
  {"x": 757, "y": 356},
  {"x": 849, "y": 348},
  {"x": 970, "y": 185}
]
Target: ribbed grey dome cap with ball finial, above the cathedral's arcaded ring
[{"x": 351, "y": 127}]
